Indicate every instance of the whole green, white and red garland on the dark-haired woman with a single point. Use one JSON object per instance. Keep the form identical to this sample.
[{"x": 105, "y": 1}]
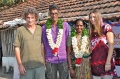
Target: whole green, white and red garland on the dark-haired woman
[{"x": 84, "y": 42}]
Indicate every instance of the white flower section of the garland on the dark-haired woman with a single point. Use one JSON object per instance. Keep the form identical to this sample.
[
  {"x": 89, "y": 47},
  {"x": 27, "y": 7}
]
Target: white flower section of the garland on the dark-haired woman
[{"x": 84, "y": 42}]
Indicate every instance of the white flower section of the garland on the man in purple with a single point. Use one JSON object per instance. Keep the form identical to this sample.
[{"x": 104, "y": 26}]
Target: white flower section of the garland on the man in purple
[{"x": 50, "y": 40}]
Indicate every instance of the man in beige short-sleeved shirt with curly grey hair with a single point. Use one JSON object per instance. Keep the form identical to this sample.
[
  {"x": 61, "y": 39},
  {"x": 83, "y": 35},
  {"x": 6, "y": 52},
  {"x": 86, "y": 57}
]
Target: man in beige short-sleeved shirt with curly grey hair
[{"x": 27, "y": 45}]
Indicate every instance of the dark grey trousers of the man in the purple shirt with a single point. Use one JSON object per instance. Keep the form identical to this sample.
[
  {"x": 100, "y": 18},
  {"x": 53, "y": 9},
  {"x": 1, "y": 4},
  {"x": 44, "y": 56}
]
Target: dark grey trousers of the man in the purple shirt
[{"x": 62, "y": 68}]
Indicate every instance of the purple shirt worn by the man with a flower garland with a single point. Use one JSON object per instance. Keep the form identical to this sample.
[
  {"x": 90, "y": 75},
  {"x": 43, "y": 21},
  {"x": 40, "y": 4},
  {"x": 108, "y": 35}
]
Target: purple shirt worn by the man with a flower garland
[{"x": 62, "y": 54}]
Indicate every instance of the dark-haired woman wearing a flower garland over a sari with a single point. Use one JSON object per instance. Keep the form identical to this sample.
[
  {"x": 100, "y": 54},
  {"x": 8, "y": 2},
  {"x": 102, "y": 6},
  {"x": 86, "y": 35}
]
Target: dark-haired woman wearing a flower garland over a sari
[{"x": 79, "y": 66}]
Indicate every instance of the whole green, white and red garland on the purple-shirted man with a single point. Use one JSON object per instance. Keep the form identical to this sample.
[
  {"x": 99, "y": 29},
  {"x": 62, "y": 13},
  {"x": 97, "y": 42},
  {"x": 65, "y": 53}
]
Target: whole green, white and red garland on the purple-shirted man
[{"x": 53, "y": 45}]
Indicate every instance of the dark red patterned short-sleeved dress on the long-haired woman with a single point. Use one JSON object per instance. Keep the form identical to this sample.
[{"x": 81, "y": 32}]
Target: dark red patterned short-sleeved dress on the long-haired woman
[{"x": 100, "y": 53}]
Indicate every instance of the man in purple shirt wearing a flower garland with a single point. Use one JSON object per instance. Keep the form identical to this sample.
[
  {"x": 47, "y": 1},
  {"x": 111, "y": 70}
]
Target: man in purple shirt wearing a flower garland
[{"x": 54, "y": 35}]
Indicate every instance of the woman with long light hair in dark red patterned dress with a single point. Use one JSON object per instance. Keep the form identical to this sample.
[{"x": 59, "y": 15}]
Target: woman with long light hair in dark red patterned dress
[{"x": 102, "y": 45}]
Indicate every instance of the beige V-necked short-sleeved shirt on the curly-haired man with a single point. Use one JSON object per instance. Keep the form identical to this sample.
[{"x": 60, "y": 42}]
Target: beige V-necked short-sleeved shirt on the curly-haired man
[{"x": 30, "y": 46}]
